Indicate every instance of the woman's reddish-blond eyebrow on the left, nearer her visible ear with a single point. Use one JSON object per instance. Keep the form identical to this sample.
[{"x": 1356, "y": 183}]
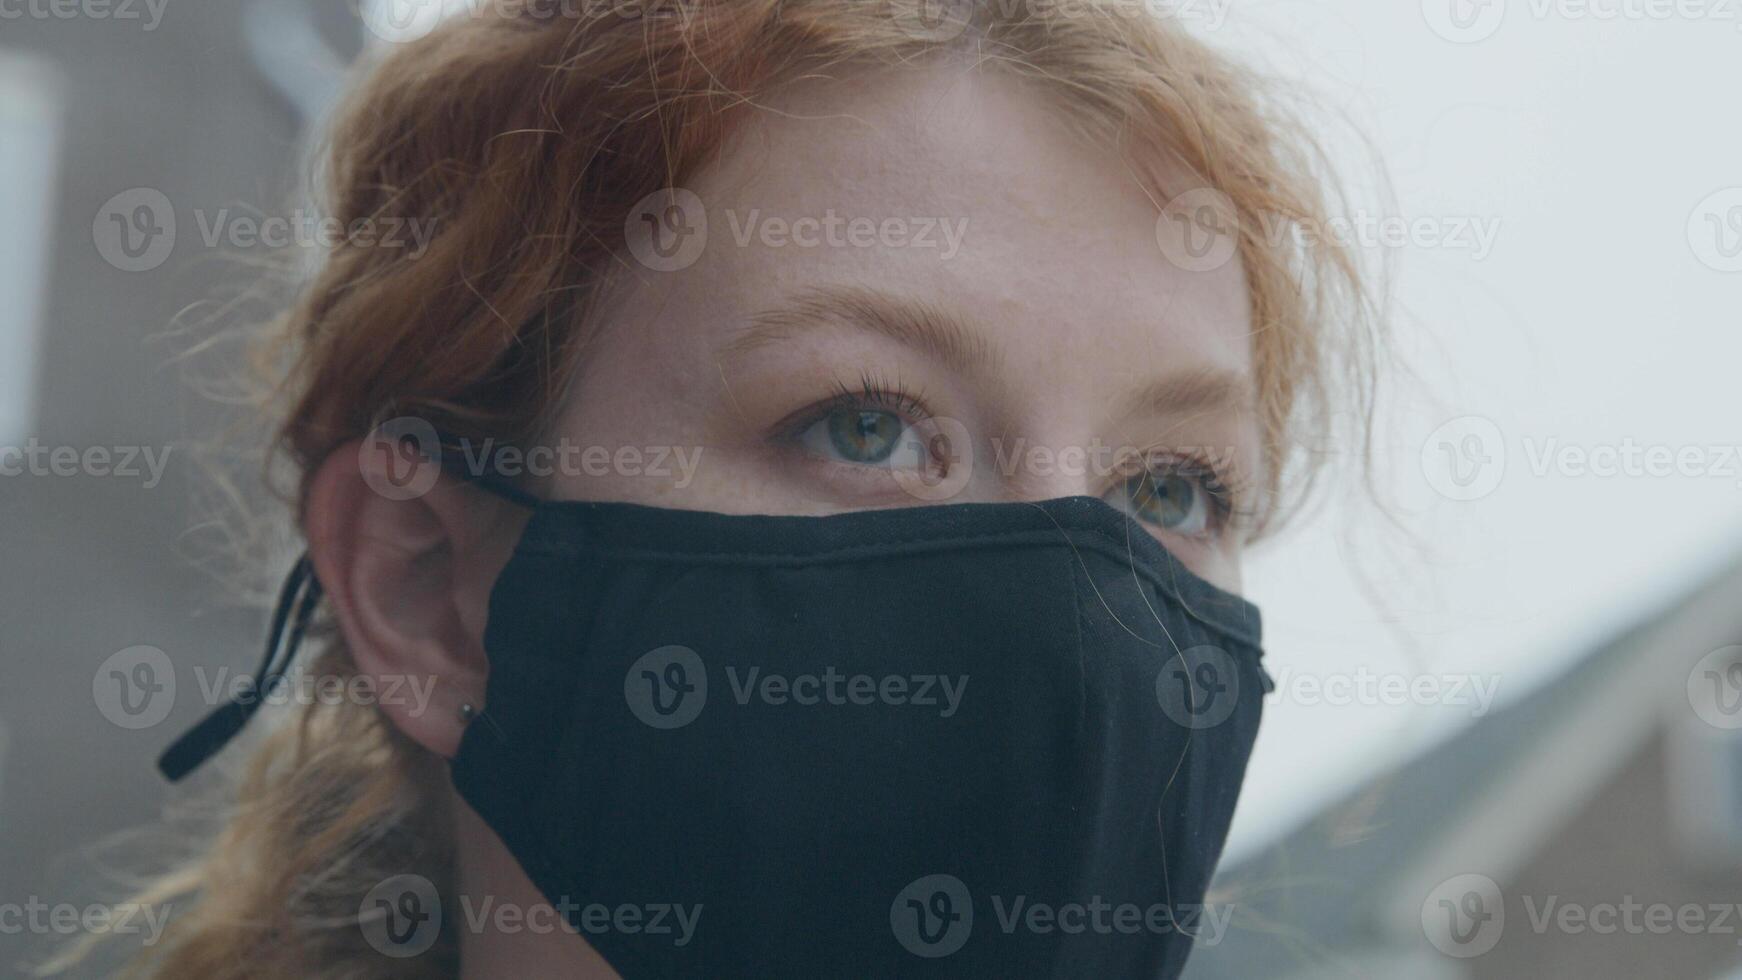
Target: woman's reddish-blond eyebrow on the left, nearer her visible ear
[{"x": 908, "y": 323}]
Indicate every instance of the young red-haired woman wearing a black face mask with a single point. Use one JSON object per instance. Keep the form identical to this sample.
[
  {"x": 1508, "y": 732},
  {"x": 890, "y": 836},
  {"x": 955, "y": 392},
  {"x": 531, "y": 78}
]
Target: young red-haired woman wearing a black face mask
[{"x": 804, "y": 483}]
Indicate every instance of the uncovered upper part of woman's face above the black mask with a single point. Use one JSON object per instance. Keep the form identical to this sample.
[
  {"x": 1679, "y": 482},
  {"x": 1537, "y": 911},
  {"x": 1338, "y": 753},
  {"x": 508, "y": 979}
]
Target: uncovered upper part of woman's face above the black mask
[{"x": 921, "y": 288}]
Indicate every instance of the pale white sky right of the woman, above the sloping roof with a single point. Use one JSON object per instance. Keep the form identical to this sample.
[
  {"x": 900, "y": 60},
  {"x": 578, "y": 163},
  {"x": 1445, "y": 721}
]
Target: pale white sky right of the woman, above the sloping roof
[{"x": 1600, "y": 145}]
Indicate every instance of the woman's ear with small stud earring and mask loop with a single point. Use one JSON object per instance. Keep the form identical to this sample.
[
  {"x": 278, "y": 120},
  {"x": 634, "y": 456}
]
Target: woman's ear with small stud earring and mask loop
[{"x": 408, "y": 568}]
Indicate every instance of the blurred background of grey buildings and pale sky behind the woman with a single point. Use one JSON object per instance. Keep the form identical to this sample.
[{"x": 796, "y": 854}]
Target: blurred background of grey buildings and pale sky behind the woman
[{"x": 1508, "y": 728}]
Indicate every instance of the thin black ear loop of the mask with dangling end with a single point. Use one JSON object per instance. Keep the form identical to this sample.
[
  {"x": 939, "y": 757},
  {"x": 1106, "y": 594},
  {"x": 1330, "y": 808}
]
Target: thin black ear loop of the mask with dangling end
[{"x": 290, "y": 621}]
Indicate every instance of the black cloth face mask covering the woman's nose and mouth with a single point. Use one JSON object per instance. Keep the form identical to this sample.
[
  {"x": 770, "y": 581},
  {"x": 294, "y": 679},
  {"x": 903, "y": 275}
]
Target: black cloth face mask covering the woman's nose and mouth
[{"x": 966, "y": 741}]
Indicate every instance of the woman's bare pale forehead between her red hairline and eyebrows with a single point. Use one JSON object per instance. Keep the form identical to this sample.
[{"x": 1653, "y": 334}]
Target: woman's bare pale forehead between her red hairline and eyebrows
[{"x": 962, "y": 194}]
